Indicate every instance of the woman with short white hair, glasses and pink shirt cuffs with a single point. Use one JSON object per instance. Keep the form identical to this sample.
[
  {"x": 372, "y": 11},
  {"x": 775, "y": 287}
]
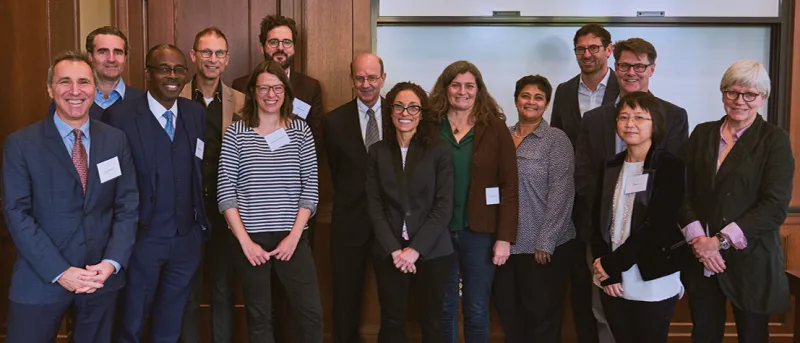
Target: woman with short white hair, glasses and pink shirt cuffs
[{"x": 739, "y": 171}]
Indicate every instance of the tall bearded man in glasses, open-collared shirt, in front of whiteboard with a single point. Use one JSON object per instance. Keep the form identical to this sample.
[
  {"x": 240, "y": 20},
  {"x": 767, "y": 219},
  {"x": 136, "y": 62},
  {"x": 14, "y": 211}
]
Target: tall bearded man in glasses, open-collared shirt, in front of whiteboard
[{"x": 595, "y": 84}]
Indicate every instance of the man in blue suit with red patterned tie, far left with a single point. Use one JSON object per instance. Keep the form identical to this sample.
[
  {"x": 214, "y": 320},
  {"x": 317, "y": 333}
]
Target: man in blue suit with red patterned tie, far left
[{"x": 71, "y": 205}]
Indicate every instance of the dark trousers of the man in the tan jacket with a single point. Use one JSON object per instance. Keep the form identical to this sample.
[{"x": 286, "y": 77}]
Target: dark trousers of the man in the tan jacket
[{"x": 218, "y": 257}]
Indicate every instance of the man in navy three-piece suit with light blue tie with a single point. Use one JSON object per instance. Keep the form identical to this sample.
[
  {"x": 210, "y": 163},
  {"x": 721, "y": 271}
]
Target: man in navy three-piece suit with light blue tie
[{"x": 166, "y": 135}]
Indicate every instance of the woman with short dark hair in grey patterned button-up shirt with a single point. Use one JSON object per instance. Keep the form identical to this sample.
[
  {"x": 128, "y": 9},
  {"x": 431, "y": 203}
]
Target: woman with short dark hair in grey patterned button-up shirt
[{"x": 529, "y": 289}]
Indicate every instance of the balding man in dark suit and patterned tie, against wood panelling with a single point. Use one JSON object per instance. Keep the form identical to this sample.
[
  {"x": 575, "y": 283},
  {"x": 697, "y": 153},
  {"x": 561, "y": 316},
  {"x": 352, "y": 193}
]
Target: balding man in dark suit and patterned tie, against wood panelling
[{"x": 350, "y": 129}]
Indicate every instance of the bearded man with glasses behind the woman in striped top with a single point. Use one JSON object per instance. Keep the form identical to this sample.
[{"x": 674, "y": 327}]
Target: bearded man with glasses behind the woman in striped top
[{"x": 278, "y": 39}]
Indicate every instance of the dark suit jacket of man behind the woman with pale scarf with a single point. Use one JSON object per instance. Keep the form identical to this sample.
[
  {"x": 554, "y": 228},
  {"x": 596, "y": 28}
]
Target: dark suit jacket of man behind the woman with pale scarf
[{"x": 598, "y": 140}]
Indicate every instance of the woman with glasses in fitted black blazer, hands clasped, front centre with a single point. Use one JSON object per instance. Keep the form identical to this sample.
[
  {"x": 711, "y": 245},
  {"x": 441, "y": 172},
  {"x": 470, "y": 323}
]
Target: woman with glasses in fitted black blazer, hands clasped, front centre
[{"x": 410, "y": 199}]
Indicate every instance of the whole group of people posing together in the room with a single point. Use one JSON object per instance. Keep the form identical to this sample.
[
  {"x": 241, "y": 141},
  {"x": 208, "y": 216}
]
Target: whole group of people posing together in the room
[{"x": 444, "y": 197}]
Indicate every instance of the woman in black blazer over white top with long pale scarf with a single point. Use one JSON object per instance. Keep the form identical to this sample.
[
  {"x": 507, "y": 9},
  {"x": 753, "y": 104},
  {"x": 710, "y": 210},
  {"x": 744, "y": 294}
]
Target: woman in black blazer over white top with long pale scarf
[{"x": 637, "y": 243}]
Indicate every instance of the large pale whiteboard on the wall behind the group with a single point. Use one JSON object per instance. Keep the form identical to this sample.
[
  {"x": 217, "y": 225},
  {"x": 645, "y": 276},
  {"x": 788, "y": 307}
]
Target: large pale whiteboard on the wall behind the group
[{"x": 690, "y": 63}]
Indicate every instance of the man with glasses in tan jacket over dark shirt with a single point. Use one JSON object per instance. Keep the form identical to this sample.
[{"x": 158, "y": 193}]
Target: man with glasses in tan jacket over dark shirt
[{"x": 210, "y": 55}]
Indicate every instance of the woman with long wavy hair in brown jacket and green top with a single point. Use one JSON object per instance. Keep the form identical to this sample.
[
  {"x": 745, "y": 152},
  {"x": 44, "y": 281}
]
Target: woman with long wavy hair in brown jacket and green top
[{"x": 484, "y": 222}]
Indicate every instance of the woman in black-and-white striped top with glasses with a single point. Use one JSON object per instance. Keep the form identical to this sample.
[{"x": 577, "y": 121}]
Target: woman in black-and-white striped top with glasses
[{"x": 268, "y": 192}]
